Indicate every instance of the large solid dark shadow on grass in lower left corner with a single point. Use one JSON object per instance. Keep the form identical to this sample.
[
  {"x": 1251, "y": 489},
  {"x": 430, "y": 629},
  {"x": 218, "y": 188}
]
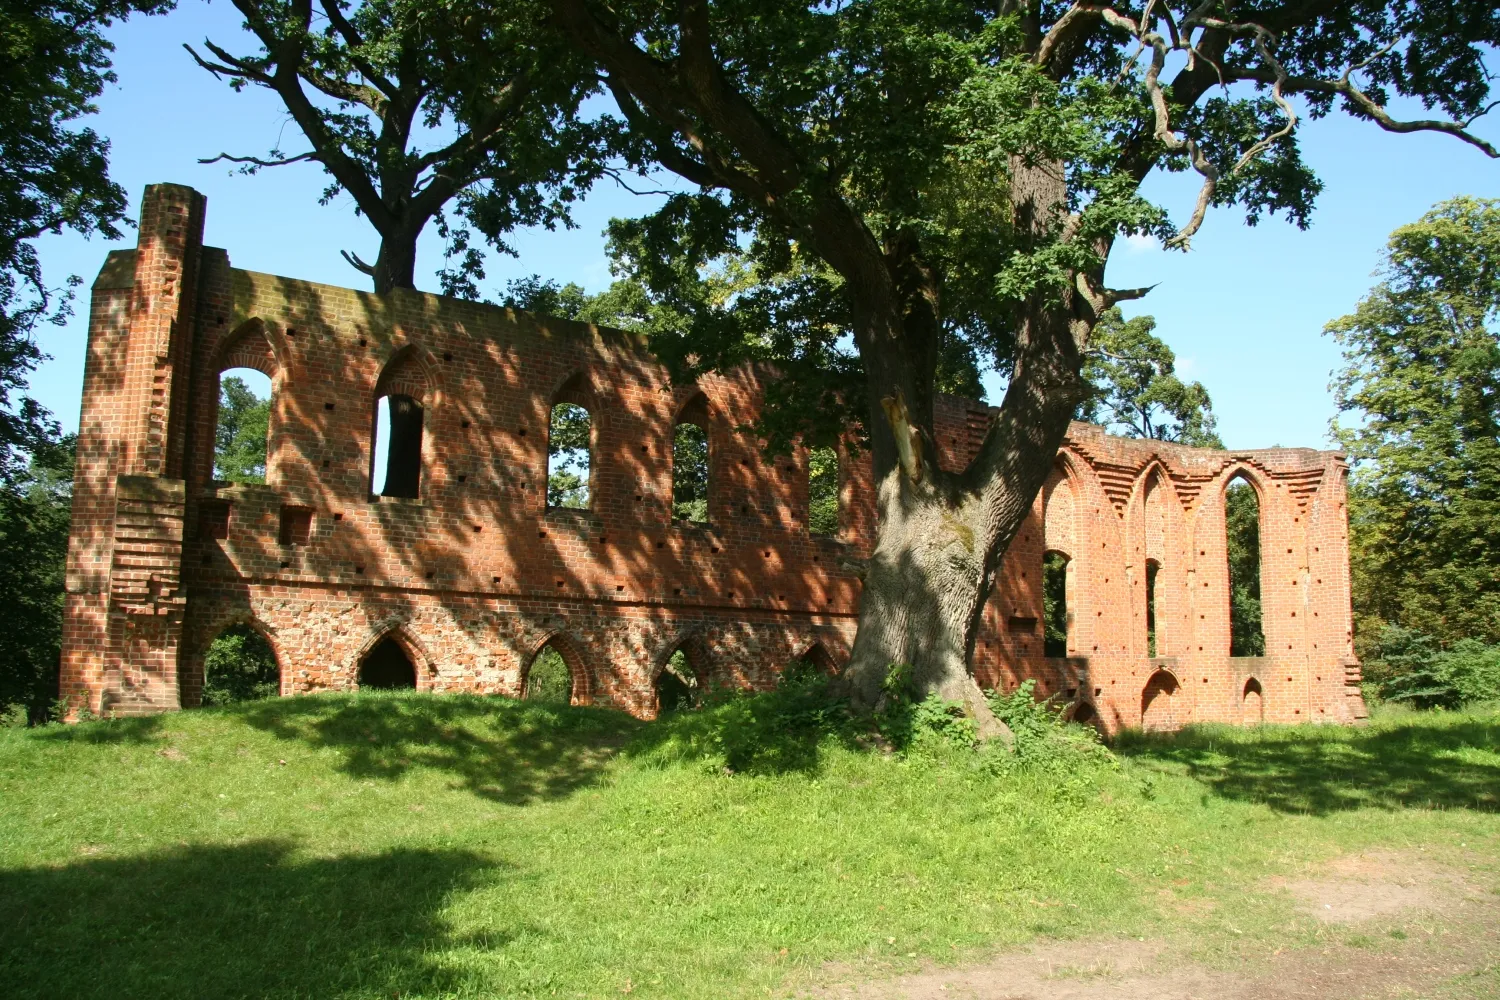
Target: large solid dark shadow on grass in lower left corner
[{"x": 233, "y": 921}]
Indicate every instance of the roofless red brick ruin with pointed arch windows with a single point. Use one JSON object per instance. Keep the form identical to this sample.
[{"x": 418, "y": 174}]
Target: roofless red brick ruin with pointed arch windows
[{"x": 475, "y": 575}]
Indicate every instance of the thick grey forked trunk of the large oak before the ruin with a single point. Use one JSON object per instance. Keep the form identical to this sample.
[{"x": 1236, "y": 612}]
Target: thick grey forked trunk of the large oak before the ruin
[{"x": 943, "y": 534}]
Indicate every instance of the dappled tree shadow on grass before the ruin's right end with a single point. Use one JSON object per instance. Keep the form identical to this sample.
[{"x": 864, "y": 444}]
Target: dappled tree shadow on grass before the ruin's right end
[{"x": 1426, "y": 762}]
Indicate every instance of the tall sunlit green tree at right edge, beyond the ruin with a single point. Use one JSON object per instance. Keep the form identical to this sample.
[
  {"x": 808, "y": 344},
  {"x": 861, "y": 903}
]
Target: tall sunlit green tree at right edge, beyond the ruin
[{"x": 1420, "y": 418}]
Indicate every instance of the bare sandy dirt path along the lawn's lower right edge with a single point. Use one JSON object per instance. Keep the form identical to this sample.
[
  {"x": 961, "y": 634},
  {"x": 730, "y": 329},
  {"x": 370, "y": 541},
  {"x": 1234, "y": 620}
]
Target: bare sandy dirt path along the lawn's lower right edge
[{"x": 1460, "y": 936}]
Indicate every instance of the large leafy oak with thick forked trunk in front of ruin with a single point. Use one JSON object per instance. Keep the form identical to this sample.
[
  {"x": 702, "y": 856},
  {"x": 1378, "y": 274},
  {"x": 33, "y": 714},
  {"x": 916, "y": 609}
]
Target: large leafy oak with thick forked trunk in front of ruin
[{"x": 944, "y": 178}]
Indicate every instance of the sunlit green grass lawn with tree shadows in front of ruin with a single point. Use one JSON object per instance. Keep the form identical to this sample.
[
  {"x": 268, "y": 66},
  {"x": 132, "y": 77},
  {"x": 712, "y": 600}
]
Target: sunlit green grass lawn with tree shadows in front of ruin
[{"x": 418, "y": 846}]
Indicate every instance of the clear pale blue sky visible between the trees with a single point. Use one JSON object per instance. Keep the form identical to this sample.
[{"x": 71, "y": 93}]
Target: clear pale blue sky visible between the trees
[{"x": 1244, "y": 310}]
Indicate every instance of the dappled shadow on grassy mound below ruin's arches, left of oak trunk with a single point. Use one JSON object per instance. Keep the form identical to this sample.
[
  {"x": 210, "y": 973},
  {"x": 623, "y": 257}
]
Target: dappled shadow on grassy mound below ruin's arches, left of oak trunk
[{"x": 500, "y": 749}]
